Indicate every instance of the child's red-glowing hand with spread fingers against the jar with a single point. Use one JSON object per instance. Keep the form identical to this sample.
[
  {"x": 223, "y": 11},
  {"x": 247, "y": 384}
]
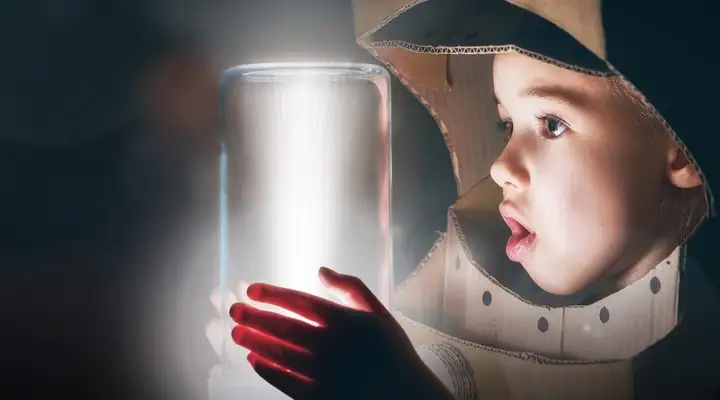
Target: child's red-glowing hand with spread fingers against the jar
[{"x": 351, "y": 353}]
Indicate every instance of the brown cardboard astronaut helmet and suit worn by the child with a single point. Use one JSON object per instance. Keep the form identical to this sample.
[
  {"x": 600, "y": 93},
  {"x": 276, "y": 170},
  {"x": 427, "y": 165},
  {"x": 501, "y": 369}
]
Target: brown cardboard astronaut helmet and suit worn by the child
[{"x": 475, "y": 318}]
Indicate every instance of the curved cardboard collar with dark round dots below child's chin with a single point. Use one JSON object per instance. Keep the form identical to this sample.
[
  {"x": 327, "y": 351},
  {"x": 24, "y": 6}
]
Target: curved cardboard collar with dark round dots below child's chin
[{"x": 575, "y": 332}]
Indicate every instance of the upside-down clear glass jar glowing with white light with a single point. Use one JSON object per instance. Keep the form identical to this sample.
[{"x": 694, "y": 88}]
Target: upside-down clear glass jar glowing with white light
[{"x": 305, "y": 182}]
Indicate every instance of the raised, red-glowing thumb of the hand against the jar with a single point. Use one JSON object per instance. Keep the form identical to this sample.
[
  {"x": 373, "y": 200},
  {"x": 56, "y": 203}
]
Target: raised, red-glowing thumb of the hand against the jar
[{"x": 350, "y": 288}]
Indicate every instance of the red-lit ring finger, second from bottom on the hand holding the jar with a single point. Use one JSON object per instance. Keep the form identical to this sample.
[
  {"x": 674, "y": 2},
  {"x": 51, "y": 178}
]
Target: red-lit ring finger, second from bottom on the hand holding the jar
[{"x": 289, "y": 357}]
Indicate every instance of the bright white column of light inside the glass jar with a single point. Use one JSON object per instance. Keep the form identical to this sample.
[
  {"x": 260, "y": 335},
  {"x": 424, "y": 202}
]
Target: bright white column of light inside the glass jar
[{"x": 303, "y": 178}]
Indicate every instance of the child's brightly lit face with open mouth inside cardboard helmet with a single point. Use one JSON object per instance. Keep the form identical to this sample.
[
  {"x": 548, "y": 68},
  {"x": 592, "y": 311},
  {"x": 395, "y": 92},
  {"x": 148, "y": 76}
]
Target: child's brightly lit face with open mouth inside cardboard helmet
[{"x": 582, "y": 179}]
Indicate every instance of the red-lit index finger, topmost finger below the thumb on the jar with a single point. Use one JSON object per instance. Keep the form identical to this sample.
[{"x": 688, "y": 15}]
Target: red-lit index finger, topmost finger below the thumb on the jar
[{"x": 303, "y": 304}]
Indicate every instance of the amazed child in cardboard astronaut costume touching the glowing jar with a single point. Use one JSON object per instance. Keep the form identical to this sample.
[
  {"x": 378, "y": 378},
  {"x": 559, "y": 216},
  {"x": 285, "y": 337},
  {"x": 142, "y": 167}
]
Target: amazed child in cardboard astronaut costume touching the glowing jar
[{"x": 584, "y": 152}]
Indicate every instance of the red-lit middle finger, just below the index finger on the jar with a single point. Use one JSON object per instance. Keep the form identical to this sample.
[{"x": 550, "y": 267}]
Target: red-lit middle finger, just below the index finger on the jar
[{"x": 287, "y": 329}]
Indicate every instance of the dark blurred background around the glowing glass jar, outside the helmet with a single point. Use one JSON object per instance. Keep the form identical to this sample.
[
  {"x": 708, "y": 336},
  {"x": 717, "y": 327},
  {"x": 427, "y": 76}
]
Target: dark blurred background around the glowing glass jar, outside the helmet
[{"x": 107, "y": 165}]
